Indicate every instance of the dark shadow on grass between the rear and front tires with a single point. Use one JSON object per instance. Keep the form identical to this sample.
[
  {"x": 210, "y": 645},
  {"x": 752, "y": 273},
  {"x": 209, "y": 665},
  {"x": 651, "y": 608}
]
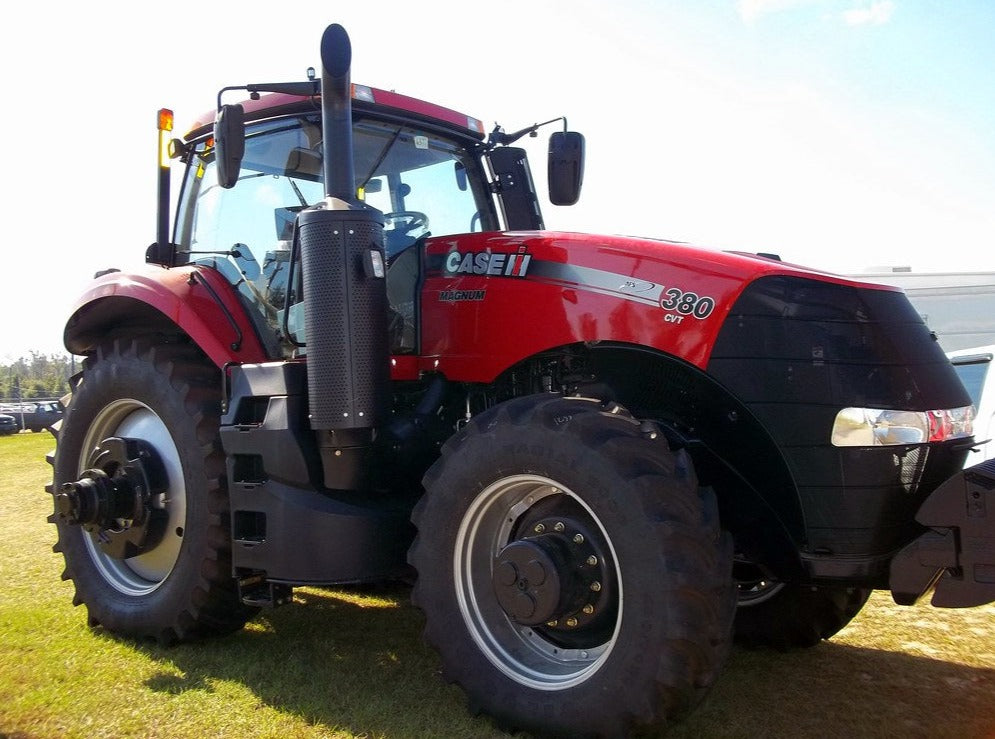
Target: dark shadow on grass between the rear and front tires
[{"x": 339, "y": 665}]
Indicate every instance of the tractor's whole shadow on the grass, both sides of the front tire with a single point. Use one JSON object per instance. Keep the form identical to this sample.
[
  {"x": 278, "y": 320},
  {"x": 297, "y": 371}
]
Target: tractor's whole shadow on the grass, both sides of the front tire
[{"x": 363, "y": 669}]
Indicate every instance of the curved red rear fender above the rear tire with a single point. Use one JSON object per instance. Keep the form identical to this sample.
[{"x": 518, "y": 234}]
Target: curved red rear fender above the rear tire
[{"x": 194, "y": 301}]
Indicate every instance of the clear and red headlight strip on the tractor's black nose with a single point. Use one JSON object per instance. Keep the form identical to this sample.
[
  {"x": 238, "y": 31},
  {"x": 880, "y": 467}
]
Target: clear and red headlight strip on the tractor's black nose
[{"x": 876, "y": 427}]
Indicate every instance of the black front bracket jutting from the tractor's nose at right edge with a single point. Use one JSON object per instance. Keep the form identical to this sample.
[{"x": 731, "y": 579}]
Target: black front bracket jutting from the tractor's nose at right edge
[{"x": 957, "y": 554}]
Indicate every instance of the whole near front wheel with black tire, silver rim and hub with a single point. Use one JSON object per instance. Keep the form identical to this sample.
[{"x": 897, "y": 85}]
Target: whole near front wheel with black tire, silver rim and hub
[{"x": 573, "y": 576}]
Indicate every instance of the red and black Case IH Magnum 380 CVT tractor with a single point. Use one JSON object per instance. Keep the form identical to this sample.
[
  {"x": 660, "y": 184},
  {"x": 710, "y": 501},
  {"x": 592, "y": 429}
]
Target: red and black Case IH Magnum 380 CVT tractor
[{"x": 360, "y": 356}]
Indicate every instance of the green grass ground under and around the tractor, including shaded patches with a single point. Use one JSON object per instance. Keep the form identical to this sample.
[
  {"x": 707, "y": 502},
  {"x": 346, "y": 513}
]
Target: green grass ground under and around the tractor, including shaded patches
[{"x": 351, "y": 664}]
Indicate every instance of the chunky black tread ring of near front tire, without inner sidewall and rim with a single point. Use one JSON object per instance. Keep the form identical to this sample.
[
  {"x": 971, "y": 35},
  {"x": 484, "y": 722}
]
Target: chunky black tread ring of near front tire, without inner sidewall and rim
[{"x": 699, "y": 591}]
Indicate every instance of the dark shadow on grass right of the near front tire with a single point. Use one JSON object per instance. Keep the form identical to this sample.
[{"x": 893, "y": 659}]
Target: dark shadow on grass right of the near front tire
[{"x": 837, "y": 689}]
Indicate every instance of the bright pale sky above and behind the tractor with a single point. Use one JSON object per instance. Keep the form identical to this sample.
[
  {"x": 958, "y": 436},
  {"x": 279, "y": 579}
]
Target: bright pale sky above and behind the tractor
[{"x": 841, "y": 134}]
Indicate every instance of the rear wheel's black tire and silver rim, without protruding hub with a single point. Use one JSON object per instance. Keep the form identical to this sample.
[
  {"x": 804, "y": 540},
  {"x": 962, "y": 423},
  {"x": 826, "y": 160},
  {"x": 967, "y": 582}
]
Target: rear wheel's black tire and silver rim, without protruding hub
[{"x": 180, "y": 584}]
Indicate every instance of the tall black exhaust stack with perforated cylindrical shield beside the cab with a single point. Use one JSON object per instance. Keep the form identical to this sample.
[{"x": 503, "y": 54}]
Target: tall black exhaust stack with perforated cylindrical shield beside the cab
[{"x": 345, "y": 293}]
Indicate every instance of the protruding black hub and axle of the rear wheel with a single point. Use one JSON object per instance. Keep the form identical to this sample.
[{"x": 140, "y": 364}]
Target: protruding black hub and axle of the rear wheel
[{"x": 119, "y": 498}]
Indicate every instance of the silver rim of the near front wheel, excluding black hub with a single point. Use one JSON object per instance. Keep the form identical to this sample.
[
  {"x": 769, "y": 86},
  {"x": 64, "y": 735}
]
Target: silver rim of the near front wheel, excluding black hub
[{"x": 522, "y": 653}]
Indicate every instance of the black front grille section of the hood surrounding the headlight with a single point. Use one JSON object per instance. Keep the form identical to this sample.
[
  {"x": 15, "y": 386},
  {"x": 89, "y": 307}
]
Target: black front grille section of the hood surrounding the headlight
[{"x": 795, "y": 351}]
